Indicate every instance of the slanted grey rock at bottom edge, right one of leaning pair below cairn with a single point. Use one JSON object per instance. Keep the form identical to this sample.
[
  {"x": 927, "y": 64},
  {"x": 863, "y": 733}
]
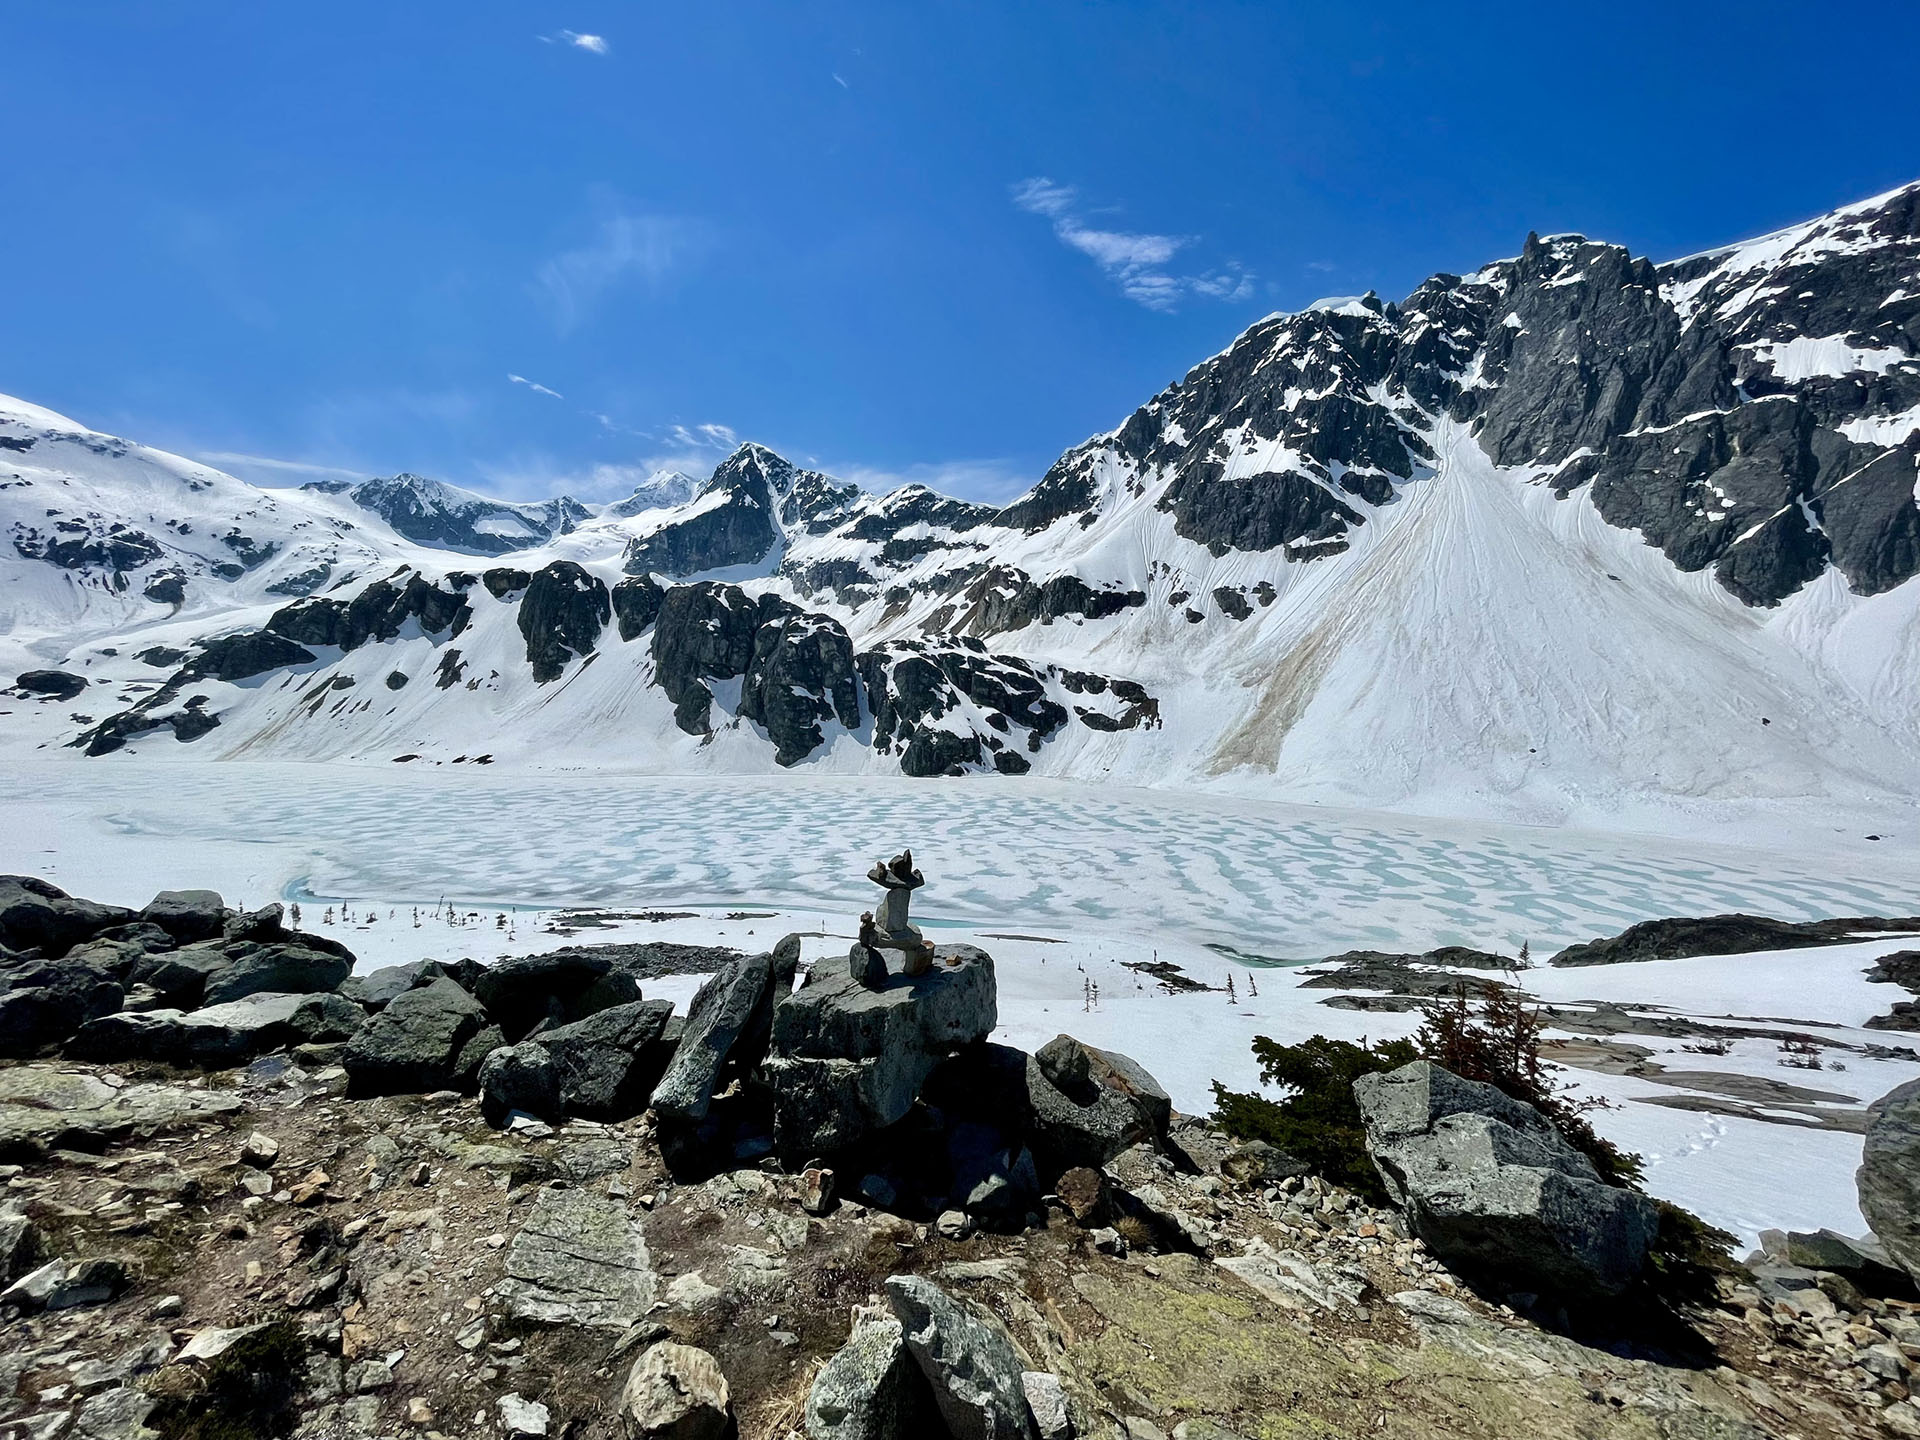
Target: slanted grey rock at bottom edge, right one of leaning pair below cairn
[{"x": 969, "y": 1360}]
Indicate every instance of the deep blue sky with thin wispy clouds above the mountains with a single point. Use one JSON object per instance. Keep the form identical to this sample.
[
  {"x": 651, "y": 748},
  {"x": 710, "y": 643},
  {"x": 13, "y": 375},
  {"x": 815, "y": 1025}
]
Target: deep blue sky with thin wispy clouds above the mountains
[{"x": 901, "y": 241}]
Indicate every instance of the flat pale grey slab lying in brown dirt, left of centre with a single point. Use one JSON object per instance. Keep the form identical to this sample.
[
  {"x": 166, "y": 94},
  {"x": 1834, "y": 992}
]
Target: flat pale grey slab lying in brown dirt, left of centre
[{"x": 581, "y": 1260}]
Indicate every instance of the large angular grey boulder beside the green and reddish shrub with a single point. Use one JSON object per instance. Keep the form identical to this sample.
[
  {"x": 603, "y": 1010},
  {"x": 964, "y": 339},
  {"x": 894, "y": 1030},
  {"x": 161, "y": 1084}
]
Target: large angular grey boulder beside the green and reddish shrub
[{"x": 1495, "y": 1191}]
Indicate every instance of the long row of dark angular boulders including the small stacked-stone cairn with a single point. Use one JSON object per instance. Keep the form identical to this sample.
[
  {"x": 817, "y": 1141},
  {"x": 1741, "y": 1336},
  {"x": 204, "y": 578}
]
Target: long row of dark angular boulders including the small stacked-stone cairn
[{"x": 876, "y": 1072}]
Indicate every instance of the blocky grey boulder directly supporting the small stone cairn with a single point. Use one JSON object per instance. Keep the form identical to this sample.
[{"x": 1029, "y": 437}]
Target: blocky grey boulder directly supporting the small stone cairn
[{"x": 848, "y": 1059}]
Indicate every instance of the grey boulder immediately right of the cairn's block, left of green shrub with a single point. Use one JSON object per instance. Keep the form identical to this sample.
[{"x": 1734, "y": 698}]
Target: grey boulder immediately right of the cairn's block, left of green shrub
[{"x": 1092, "y": 1105}]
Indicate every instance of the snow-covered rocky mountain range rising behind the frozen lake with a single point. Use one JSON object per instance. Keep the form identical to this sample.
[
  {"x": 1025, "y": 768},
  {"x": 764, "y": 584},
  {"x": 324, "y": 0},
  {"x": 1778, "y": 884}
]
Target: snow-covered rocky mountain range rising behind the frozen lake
[{"x": 1560, "y": 539}]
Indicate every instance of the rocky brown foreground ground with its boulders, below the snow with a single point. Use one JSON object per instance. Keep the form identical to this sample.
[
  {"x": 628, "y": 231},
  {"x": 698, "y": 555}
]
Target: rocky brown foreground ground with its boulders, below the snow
[{"x": 830, "y": 1211}]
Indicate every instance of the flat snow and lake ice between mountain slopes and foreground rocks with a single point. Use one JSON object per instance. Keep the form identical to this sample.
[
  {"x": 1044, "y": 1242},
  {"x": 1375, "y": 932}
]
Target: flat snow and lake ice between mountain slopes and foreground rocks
[{"x": 1067, "y": 886}]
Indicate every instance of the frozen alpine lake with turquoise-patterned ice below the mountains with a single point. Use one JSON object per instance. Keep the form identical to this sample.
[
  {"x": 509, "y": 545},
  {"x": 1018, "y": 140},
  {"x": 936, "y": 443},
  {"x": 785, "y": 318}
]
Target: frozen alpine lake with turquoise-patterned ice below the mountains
[{"x": 1268, "y": 880}]
